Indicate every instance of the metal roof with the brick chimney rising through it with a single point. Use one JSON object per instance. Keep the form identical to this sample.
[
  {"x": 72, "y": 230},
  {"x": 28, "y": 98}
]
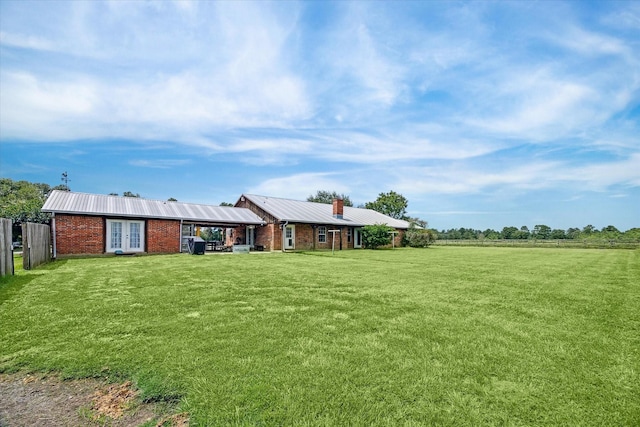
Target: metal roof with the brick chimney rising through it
[{"x": 321, "y": 213}]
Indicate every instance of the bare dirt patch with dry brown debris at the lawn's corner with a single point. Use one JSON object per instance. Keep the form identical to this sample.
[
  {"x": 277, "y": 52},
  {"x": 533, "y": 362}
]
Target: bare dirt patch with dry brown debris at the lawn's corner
[{"x": 47, "y": 400}]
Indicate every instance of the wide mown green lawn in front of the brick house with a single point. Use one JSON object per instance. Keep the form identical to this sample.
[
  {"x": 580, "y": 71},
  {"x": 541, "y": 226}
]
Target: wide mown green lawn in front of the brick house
[{"x": 441, "y": 336}]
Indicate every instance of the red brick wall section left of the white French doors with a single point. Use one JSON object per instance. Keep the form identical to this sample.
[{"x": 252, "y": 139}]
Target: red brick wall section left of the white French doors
[{"x": 79, "y": 234}]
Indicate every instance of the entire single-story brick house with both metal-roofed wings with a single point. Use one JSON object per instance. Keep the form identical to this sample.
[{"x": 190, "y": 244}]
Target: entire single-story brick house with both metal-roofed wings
[{"x": 97, "y": 224}]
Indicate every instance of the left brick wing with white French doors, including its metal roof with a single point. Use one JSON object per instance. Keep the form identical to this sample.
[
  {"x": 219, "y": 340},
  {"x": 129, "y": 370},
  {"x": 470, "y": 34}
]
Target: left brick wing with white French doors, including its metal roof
[{"x": 98, "y": 224}]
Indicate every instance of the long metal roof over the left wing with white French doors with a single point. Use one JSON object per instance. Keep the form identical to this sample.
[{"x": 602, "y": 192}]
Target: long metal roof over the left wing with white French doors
[{"x": 98, "y": 204}]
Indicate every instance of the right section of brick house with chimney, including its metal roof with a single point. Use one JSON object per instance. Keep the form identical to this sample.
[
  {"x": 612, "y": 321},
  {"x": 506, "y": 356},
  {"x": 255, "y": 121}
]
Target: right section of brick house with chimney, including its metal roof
[{"x": 309, "y": 225}]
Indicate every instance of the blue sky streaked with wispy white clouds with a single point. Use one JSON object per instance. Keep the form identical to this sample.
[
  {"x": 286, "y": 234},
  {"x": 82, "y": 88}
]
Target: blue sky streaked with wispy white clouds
[{"x": 482, "y": 114}]
